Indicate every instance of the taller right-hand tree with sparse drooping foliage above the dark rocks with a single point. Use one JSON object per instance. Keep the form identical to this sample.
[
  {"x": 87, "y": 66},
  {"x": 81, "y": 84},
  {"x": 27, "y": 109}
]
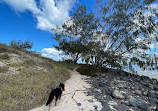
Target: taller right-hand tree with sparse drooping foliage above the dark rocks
[{"x": 130, "y": 27}]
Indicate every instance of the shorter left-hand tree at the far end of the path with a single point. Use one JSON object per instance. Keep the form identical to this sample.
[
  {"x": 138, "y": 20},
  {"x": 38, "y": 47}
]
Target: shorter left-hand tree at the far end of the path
[{"x": 74, "y": 37}]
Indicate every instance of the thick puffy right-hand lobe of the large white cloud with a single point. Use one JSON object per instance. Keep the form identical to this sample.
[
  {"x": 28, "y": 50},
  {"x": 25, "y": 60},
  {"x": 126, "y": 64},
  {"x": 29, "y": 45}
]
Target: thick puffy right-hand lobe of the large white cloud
[{"x": 53, "y": 13}]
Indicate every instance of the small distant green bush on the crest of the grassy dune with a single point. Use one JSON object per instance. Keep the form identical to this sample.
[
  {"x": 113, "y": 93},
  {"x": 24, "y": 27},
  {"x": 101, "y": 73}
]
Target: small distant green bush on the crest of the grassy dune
[{"x": 24, "y": 45}]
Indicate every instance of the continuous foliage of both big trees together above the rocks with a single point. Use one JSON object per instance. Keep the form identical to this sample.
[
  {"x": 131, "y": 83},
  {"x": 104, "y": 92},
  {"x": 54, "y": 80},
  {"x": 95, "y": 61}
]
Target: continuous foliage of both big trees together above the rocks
[{"x": 119, "y": 37}]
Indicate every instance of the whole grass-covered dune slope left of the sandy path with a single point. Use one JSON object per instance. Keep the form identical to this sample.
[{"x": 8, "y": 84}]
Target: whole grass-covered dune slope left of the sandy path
[{"x": 25, "y": 82}]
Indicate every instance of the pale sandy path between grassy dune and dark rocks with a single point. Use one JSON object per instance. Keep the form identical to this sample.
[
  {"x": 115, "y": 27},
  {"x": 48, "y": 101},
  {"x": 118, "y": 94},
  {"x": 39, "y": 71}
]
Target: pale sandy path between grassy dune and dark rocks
[{"x": 76, "y": 82}]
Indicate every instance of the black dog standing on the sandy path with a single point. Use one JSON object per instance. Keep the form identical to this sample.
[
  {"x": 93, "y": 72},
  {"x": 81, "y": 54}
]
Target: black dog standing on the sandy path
[{"x": 57, "y": 93}]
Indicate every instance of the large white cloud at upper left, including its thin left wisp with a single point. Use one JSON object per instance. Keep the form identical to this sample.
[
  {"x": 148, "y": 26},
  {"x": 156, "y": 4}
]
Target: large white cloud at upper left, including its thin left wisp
[{"x": 49, "y": 13}]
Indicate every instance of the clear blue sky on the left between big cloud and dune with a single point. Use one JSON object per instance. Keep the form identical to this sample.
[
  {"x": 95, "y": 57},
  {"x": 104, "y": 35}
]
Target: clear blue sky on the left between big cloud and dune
[{"x": 22, "y": 26}]
